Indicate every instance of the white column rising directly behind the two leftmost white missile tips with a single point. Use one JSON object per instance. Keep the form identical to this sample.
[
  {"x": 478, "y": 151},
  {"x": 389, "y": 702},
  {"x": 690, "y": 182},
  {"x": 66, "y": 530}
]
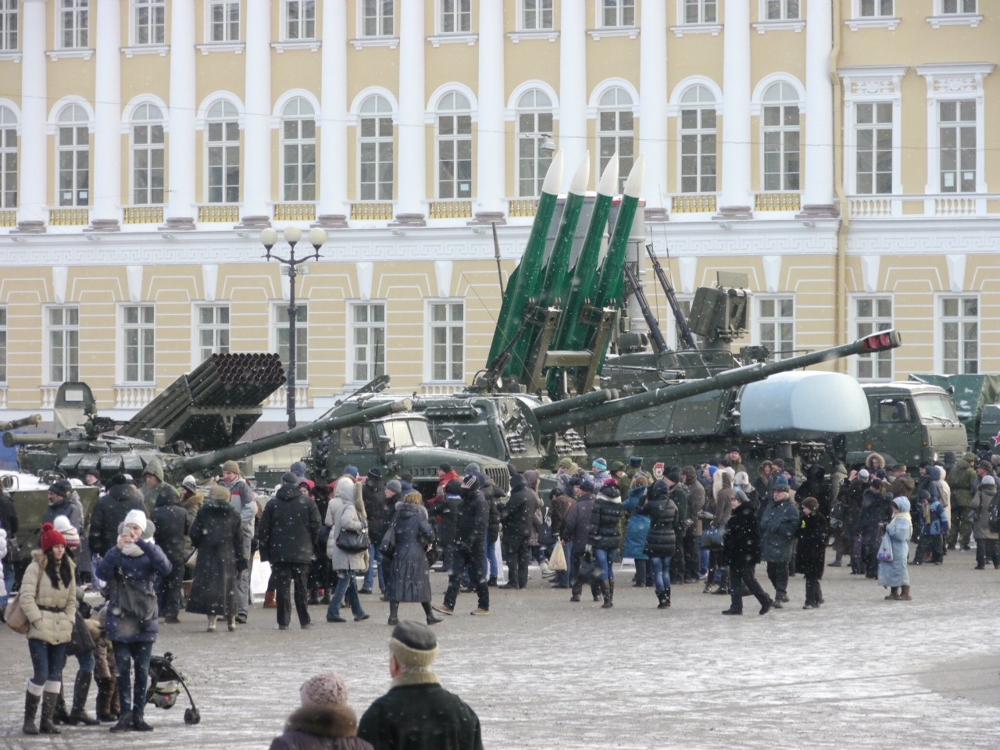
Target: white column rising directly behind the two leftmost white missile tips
[{"x": 573, "y": 81}]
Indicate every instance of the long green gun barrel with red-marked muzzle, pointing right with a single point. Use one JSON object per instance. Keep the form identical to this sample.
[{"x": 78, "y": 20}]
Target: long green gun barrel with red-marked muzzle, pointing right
[{"x": 876, "y": 342}]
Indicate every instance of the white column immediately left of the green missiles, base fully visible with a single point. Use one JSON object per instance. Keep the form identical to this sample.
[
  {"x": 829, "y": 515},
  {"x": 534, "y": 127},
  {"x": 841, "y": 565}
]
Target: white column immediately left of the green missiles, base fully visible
[{"x": 490, "y": 153}]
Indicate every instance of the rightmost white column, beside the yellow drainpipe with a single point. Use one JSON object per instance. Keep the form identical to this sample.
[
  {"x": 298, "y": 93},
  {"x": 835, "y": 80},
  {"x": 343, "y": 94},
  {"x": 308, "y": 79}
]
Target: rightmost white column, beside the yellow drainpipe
[{"x": 817, "y": 198}]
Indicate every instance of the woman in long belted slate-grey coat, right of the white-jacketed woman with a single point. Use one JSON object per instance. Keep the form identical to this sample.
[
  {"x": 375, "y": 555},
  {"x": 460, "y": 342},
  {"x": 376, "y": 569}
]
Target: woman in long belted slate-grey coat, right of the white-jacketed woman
[{"x": 410, "y": 579}]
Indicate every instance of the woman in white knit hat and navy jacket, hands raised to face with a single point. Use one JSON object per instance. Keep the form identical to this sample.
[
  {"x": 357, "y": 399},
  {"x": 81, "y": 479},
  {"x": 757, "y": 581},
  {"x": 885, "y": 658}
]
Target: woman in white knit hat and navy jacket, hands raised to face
[{"x": 133, "y": 565}]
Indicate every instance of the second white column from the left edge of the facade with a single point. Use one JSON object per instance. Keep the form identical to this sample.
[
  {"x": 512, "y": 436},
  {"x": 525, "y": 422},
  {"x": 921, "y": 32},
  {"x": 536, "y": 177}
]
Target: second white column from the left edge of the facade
[{"x": 108, "y": 112}]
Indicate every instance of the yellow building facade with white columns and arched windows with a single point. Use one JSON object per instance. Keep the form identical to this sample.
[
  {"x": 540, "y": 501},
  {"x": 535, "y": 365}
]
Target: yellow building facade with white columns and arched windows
[{"x": 844, "y": 154}]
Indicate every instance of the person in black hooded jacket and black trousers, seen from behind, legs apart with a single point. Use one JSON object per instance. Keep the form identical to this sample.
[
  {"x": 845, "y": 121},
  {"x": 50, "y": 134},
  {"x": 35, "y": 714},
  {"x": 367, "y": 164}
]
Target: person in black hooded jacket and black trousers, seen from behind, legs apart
[{"x": 289, "y": 529}]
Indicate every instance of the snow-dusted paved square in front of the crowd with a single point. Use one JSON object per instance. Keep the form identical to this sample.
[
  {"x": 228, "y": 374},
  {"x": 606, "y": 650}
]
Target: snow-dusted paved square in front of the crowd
[{"x": 544, "y": 673}]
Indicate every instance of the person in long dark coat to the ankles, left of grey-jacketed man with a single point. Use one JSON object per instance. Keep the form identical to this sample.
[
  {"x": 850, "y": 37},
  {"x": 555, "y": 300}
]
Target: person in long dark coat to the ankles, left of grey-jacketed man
[{"x": 217, "y": 535}]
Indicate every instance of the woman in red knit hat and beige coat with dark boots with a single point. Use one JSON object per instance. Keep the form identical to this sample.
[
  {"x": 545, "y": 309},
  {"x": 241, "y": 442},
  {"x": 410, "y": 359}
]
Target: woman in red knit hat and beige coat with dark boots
[{"x": 48, "y": 599}]
